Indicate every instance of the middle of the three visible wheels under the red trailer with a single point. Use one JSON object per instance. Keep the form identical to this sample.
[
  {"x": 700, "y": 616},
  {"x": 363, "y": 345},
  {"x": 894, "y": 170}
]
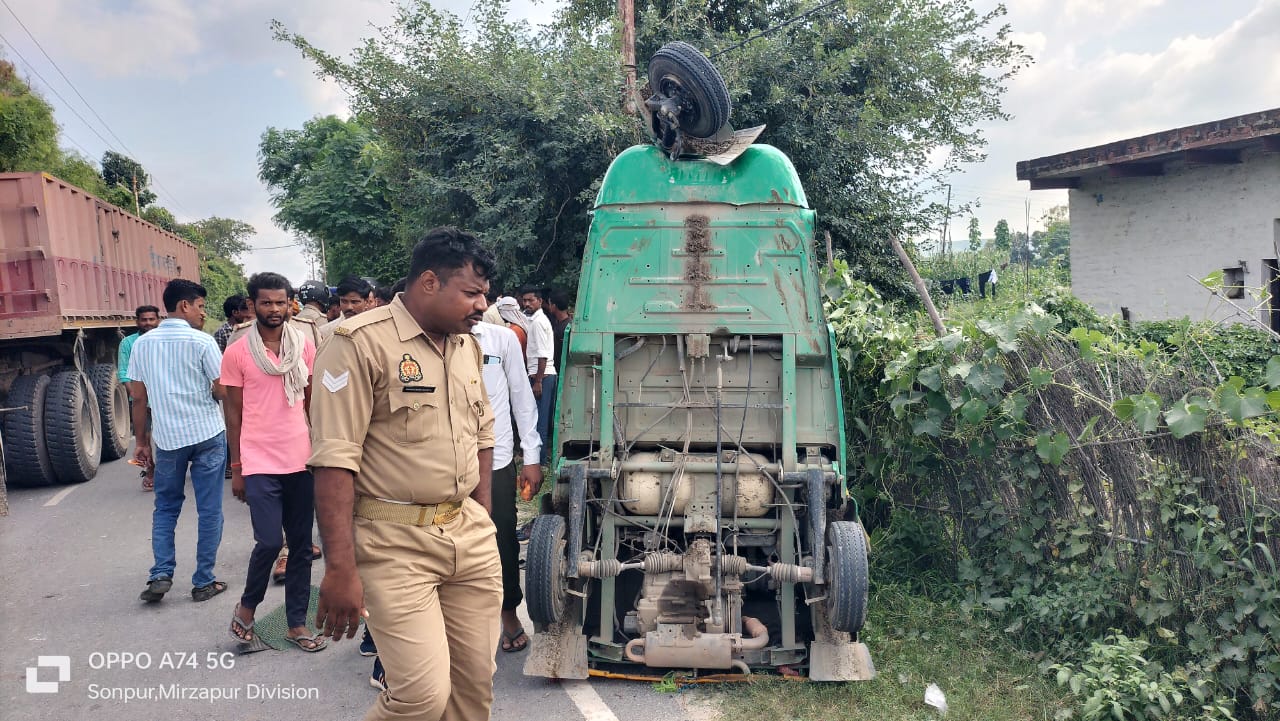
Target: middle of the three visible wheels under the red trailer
[{"x": 74, "y": 427}]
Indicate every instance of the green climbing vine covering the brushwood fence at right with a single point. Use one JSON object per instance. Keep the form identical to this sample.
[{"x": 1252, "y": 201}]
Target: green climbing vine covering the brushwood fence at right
[{"x": 1089, "y": 487}]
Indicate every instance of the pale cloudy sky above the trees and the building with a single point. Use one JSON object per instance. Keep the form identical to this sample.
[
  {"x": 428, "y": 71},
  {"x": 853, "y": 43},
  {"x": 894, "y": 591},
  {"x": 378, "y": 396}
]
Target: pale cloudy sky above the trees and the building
[{"x": 188, "y": 89}]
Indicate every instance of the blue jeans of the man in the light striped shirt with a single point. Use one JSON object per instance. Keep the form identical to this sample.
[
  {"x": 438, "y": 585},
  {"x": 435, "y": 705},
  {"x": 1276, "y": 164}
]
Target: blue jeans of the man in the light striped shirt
[{"x": 207, "y": 460}]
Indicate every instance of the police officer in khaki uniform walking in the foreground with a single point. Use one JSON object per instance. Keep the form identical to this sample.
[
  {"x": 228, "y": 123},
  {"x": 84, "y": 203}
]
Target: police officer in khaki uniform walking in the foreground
[{"x": 403, "y": 450}]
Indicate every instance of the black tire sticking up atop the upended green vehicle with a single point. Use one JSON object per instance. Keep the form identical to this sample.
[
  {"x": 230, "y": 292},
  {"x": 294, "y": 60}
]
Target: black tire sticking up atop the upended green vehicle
[{"x": 679, "y": 66}]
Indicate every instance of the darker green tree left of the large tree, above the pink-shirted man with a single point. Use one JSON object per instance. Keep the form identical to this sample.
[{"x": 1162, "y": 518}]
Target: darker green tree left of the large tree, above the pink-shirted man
[{"x": 327, "y": 186}]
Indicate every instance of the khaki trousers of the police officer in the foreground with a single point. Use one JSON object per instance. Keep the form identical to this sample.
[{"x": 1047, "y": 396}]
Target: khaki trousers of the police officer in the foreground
[{"x": 433, "y": 597}]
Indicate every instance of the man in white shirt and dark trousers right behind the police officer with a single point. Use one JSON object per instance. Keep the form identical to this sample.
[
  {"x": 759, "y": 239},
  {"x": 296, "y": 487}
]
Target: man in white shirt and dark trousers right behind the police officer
[{"x": 506, "y": 382}]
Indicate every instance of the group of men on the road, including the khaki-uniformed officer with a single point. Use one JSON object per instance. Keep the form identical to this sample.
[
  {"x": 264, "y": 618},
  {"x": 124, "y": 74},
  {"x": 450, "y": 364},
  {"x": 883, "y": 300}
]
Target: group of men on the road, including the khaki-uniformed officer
[{"x": 390, "y": 416}]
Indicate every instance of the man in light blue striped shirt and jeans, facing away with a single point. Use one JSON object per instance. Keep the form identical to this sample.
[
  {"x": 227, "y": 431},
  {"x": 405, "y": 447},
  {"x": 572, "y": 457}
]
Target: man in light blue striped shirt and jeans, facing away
[{"x": 175, "y": 371}]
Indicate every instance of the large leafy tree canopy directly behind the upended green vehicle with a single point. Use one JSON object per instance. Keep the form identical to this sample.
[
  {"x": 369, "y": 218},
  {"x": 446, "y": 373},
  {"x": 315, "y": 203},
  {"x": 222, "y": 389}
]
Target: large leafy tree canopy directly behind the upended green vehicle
[{"x": 508, "y": 131}]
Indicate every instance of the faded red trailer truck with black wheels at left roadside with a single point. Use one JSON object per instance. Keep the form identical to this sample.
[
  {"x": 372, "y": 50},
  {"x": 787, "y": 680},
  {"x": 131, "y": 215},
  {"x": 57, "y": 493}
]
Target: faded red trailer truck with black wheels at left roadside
[{"x": 74, "y": 268}]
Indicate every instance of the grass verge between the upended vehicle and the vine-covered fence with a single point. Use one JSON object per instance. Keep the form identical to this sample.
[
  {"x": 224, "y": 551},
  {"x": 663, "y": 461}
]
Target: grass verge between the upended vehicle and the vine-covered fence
[{"x": 916, "y": 642}]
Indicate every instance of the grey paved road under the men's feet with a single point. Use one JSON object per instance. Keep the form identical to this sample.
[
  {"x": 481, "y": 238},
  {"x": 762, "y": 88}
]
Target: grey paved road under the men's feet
[{"x": 74, "y": 562}]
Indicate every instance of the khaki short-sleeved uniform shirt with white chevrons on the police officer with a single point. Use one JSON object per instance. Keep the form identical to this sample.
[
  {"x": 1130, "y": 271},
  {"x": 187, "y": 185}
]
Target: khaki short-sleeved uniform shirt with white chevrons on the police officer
[{"x": 405, "y": 416}]
